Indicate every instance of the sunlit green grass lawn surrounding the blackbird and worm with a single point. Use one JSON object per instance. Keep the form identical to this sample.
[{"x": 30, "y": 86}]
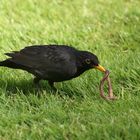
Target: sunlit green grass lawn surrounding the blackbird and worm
[{"x": 108, "y": 28}]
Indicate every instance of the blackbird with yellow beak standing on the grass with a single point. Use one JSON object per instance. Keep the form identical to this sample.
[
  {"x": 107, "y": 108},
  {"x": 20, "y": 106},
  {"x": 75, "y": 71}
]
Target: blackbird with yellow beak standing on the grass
[{"x": 54, "y": 63}]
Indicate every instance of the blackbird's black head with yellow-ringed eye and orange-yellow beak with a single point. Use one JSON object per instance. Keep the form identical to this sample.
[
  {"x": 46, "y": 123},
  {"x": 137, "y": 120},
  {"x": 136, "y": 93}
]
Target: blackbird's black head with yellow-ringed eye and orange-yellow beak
[{"x": 90, "y": 60}]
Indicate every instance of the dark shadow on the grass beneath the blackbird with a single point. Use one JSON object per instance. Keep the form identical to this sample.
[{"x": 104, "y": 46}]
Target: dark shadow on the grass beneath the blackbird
[{"x": 11, "y": 86}]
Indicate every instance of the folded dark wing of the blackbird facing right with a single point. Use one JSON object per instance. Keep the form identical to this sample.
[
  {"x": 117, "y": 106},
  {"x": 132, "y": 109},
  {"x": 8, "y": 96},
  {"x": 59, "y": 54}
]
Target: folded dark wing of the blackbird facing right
[{"x": 43, "y": 57}]
